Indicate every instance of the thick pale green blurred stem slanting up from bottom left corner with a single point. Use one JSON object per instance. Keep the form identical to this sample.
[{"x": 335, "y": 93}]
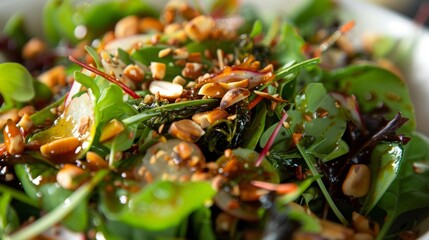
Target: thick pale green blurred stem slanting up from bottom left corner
[{"x": 59, "y": 212}]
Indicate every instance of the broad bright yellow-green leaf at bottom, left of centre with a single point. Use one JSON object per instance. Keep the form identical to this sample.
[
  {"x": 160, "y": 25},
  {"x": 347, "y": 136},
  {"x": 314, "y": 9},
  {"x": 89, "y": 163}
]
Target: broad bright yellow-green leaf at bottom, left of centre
[{"x": 165, "y": 204}]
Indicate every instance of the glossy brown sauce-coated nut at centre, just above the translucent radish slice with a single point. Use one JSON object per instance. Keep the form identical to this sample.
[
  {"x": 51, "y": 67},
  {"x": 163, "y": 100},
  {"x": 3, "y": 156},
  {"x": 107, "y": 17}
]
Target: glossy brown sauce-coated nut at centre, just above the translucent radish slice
[{"x": 187, "y": 130}]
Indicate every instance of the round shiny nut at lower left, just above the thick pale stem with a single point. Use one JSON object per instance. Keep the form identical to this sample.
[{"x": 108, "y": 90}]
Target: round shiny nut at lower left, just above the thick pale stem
[{"x": 67, "y": 176}]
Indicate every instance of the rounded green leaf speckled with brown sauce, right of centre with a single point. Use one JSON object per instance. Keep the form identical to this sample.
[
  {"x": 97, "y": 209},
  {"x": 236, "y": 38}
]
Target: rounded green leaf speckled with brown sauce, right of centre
[{"x": 322, "y": 124}]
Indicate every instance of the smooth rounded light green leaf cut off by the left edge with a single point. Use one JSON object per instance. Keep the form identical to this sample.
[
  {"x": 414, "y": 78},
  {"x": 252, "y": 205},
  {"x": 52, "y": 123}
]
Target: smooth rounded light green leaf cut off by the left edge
[{"x": 16, "y": 83}]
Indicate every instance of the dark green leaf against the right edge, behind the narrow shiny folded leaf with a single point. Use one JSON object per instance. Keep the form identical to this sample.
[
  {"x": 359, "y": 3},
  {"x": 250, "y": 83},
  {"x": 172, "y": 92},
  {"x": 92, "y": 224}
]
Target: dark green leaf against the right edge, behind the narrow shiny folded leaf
[{"x": 410, "y": 190}]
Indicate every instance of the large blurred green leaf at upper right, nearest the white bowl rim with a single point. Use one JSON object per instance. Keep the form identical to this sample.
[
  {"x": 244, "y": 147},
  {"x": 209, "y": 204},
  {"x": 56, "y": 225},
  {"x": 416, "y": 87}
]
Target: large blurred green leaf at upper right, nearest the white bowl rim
[{"x": 375, "y": 87}]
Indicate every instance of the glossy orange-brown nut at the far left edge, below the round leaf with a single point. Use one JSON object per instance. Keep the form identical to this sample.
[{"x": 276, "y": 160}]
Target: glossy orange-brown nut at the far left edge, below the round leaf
[{"x": 12, "y": 138}]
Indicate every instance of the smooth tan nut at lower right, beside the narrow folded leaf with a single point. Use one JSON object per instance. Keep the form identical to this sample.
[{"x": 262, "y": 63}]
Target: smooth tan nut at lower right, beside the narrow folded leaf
[{"x": 357, "y": 181}]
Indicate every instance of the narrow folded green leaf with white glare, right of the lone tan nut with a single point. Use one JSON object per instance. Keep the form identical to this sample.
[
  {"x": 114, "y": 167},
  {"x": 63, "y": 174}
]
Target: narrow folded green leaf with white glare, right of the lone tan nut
[{"x": 385, "y": 163}]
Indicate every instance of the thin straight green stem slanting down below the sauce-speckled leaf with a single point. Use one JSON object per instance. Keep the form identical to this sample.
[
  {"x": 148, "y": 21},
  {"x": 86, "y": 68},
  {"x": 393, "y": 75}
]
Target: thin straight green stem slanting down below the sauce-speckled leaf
[{"x": 309, "y": 161}]
